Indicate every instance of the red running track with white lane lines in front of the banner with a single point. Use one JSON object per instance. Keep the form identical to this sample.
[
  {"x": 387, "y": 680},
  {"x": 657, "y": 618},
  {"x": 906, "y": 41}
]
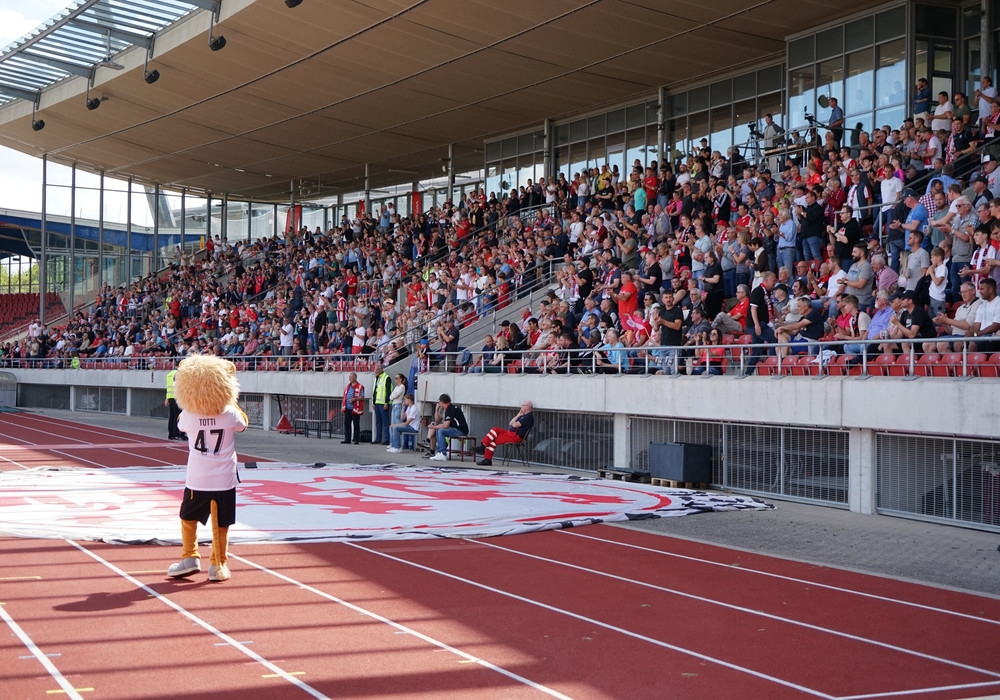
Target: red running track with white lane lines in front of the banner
[{"x": 595, "y": 612}]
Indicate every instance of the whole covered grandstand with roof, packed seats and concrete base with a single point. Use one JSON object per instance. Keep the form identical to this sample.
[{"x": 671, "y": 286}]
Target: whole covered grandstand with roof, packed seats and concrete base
[{"x": 788, "y": 251}]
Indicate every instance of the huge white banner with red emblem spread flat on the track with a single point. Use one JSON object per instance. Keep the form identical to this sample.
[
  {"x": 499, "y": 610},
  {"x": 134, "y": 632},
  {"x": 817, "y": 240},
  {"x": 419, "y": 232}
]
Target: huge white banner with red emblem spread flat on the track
[{"x": 334, "y": 502}]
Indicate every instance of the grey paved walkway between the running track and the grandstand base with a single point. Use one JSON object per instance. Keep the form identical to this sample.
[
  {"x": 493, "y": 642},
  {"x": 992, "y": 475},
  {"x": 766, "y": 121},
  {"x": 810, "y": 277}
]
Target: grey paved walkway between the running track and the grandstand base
[{"x": 907, "y": 549}]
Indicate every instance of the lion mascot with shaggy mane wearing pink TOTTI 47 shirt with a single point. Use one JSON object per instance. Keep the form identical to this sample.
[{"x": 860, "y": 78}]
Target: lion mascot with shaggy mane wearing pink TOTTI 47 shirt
[{"x": 206, "y": 390}]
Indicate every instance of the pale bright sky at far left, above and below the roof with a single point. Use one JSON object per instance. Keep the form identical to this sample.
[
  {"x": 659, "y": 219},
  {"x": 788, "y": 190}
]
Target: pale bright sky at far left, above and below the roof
[{"x": 20, "y": 174}]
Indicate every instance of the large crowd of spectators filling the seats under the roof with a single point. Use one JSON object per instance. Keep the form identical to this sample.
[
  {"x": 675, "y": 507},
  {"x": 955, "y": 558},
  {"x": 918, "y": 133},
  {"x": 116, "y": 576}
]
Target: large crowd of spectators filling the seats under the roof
[{"x": 856, "y": 236}]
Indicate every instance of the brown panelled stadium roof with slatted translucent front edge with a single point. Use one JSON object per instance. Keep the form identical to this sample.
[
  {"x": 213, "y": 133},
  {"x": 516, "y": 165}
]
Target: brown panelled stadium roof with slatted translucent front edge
[{"x": 312, "y": 94}]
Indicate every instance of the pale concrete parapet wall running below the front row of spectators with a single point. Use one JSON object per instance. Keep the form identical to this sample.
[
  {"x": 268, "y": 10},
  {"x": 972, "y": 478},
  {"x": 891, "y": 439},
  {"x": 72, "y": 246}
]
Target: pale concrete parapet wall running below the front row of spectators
[{"x": 925, "y": 405}]
